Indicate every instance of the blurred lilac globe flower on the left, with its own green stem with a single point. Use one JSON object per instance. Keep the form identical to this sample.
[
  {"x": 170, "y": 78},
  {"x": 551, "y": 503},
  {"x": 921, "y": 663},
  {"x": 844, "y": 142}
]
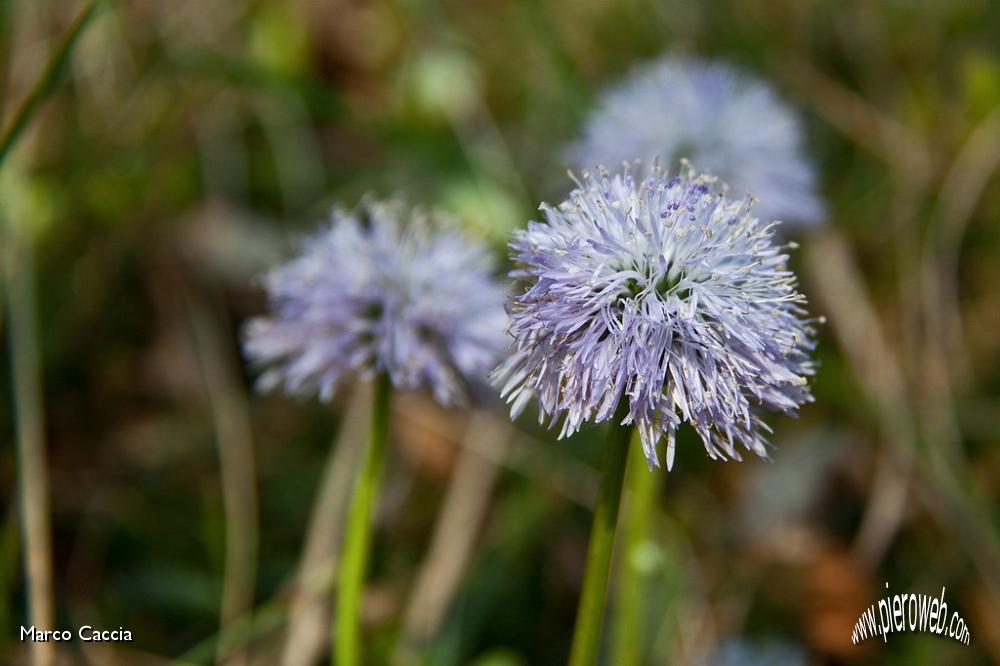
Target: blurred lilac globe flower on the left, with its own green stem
[{"x": 381, "y": 289}]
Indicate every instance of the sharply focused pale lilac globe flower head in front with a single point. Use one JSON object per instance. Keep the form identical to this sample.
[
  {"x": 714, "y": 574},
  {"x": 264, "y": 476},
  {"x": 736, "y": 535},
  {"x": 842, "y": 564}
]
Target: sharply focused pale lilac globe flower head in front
[{"x": 664, "y": 293}]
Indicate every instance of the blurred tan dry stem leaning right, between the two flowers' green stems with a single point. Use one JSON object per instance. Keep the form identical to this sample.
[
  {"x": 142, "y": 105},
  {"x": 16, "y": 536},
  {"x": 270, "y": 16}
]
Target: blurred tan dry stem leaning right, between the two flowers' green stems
[{"x": 459, "y": 521}]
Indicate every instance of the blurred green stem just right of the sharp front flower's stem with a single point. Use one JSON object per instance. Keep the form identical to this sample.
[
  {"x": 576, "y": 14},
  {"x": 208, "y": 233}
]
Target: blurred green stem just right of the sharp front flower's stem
[{"x": 643, "y": 493}]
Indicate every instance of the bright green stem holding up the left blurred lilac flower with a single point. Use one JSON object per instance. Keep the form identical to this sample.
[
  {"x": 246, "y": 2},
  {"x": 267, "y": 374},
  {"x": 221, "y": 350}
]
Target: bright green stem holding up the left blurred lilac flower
[{"x": 357, "y": 542}]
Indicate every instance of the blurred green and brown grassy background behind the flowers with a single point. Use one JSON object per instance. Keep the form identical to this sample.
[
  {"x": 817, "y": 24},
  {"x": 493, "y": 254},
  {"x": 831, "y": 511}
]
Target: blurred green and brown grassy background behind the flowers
[{"x": 189, "y": 143}]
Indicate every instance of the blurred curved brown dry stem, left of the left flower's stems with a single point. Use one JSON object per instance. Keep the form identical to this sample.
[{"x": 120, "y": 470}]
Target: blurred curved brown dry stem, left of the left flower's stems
[{"x": 237, "y": 469}]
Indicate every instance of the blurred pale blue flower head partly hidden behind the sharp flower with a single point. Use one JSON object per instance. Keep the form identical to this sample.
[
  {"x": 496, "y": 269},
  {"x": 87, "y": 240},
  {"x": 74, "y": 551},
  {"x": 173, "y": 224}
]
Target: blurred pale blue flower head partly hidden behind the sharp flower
[{"x": 720, "y": 119}]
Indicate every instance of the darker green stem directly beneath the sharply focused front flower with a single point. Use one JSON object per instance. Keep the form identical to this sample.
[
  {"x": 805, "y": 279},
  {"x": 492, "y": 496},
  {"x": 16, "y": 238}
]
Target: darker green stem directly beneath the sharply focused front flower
[{"x": 589, "y": 618}]
